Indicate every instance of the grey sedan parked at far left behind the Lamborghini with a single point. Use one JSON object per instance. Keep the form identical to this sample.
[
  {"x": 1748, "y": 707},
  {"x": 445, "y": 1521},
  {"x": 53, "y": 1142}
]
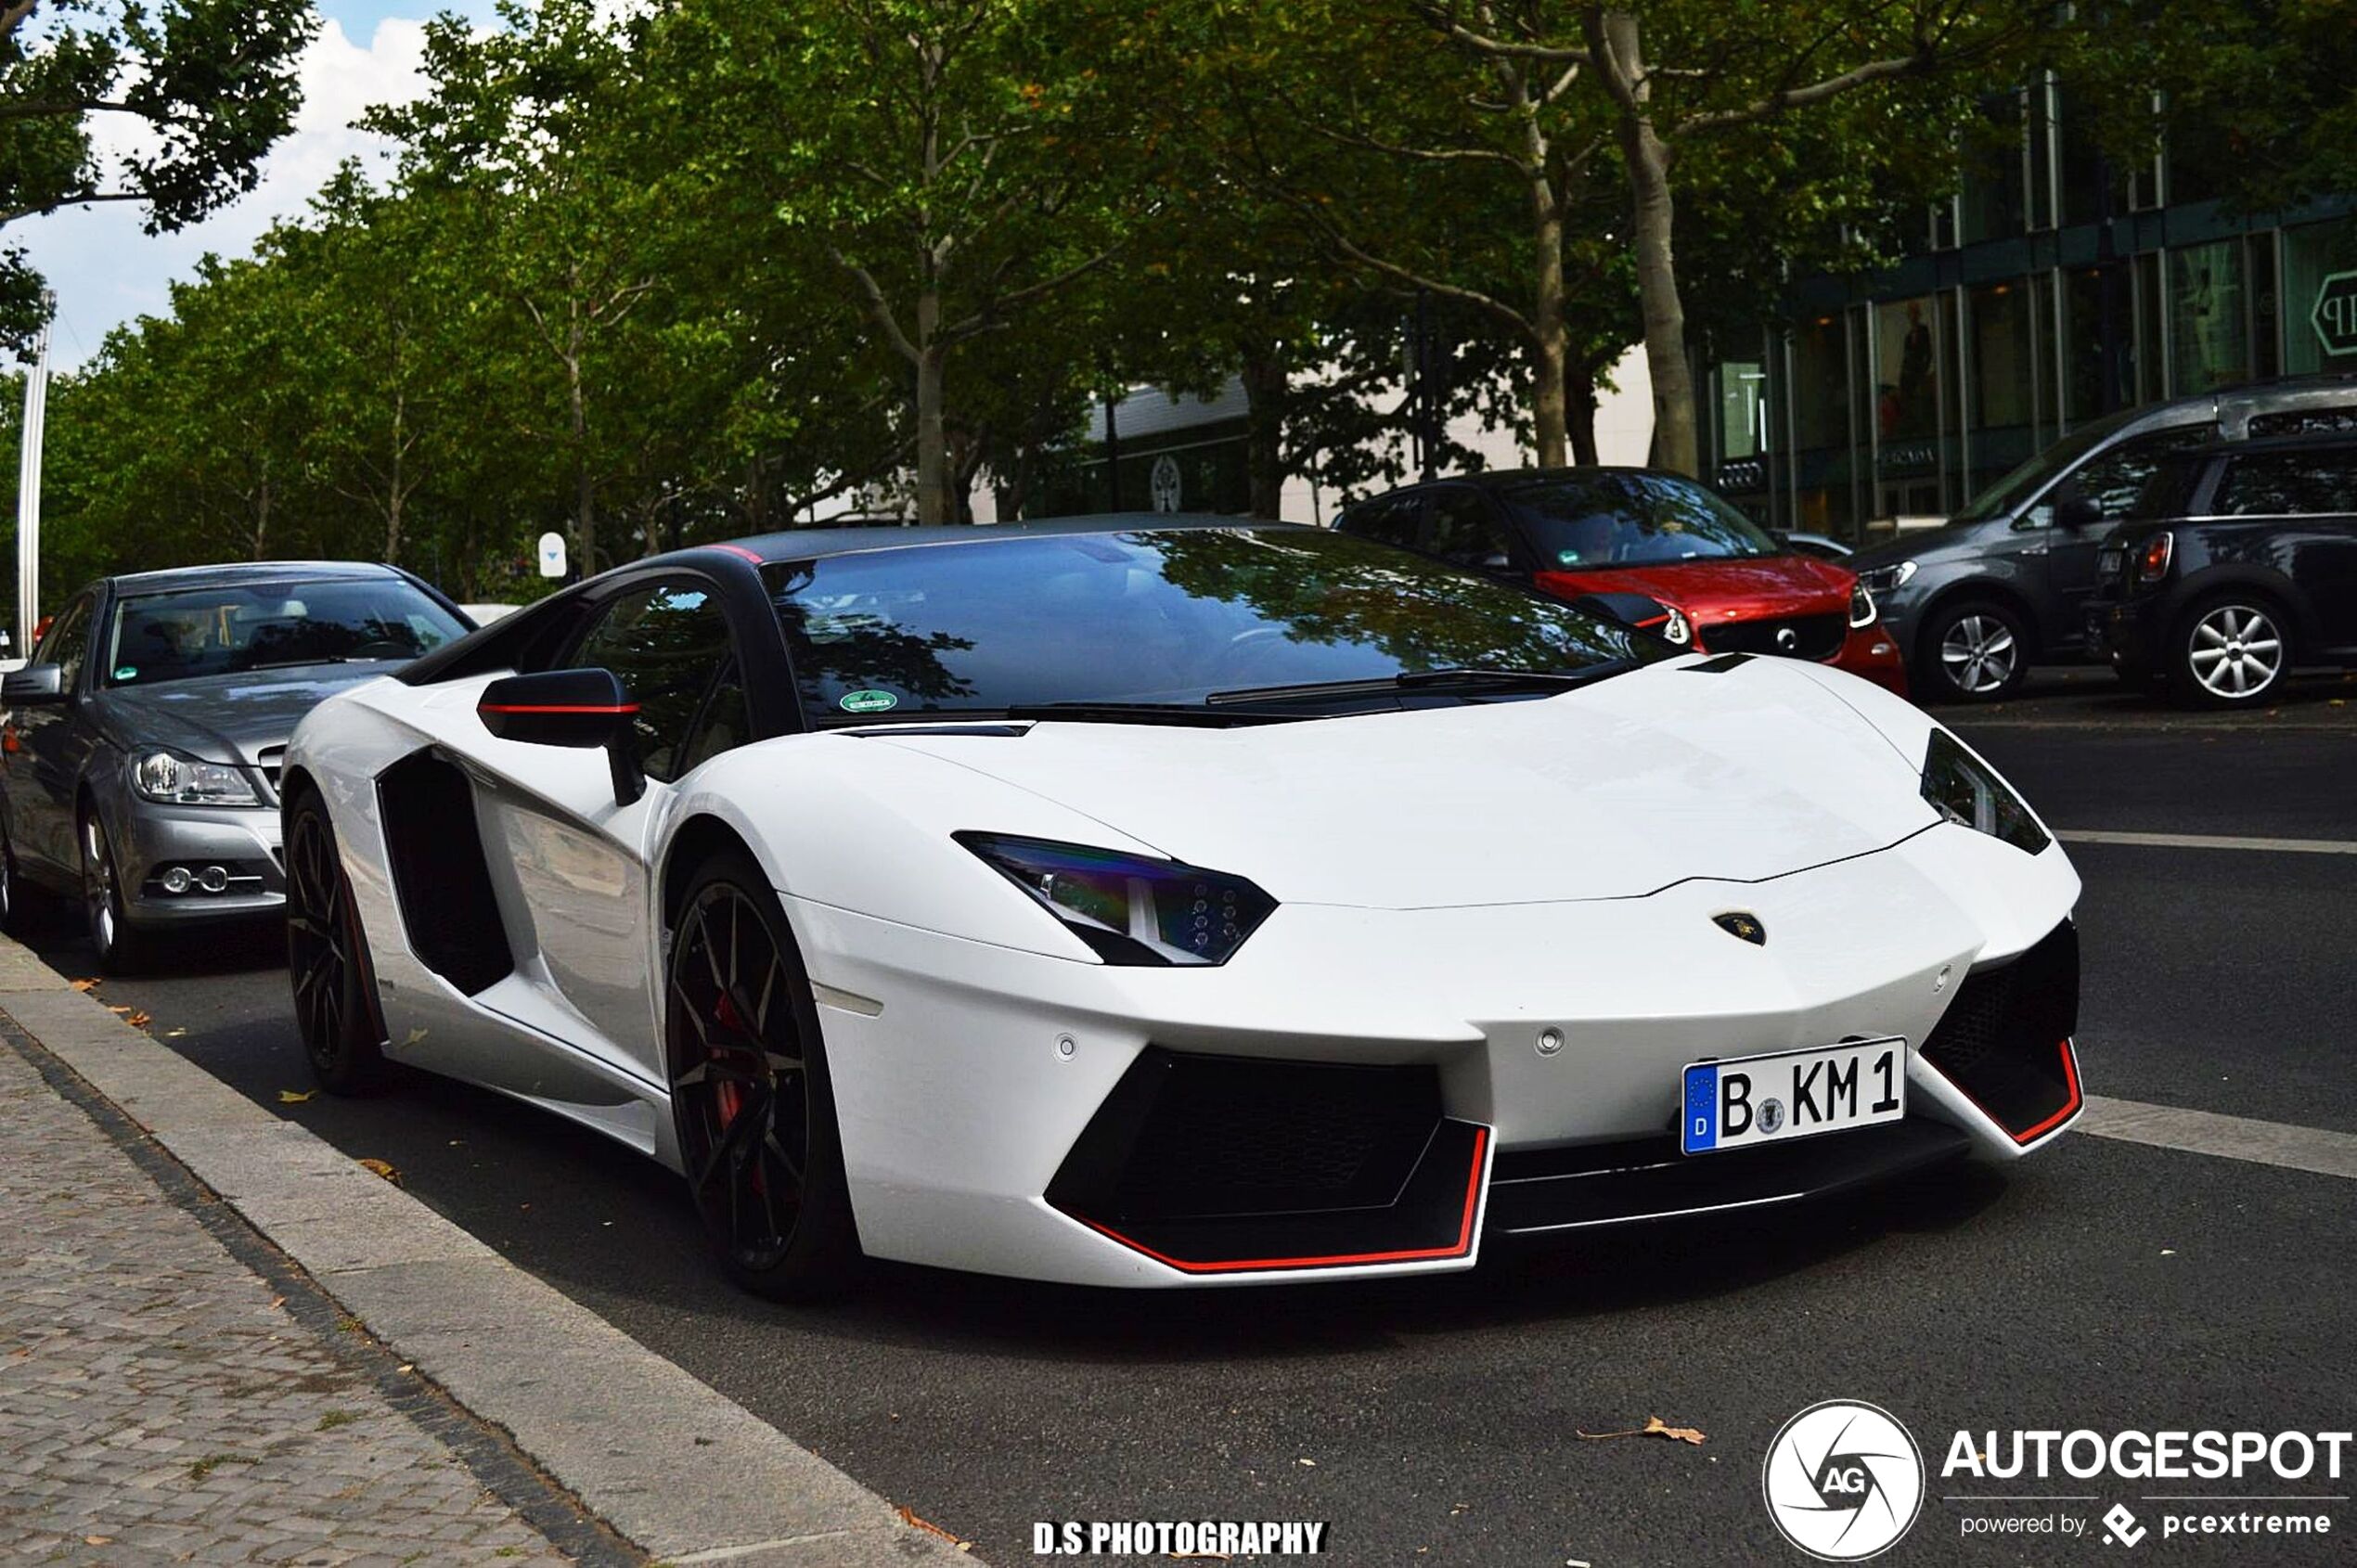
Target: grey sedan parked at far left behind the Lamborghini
[{"x": 140, "y": 746}]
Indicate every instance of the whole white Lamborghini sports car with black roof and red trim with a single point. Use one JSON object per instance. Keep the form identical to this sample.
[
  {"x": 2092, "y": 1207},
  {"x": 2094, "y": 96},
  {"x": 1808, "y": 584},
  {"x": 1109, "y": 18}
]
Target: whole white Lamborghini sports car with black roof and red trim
[{"x": 1154, "y": 902}]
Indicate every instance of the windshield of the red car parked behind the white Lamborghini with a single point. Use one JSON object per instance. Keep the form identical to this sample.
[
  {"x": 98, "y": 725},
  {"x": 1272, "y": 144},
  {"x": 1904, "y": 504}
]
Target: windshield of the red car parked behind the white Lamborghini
[{"x": 1632, "y": 520}]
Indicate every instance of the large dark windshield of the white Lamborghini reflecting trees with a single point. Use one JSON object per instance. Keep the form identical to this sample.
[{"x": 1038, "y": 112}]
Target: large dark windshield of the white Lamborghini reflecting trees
[{"x": 1156, "y": 619}]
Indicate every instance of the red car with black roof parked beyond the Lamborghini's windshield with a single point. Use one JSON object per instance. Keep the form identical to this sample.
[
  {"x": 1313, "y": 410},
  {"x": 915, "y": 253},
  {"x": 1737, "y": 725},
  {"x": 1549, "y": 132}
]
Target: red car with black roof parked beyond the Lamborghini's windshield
[{"x": 1724, "y": 584}]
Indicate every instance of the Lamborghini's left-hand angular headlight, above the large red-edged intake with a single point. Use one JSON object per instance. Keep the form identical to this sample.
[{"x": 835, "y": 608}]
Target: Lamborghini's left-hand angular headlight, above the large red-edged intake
[{"x": 1130, "y": 909}]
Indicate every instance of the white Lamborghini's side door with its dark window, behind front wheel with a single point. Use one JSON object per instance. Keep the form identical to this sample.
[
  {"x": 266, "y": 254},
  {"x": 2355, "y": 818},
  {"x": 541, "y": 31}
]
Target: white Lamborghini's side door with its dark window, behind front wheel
[{"x": 574, "y": 859}]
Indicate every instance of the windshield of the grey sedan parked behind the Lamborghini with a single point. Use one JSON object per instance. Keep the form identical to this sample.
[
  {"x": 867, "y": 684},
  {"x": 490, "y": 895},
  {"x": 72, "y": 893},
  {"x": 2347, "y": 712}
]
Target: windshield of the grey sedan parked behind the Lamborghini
[{"x": 260, "y": 626}]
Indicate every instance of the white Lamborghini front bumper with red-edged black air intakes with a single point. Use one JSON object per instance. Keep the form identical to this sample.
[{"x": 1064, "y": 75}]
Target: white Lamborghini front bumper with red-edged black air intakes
[{"x": 975, "y": 1083}]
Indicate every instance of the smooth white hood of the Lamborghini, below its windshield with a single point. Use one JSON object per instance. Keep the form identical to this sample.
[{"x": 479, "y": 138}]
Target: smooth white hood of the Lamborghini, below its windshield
[{"x": 1611, "y": 791}]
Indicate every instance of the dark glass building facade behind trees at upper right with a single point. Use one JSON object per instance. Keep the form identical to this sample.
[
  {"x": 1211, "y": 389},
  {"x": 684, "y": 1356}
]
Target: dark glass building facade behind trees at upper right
[{"x": 2052, "y": 291}]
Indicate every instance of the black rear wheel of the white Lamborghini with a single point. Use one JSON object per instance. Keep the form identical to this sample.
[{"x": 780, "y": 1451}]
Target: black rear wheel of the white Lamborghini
[{"x": 336, "y": 994}]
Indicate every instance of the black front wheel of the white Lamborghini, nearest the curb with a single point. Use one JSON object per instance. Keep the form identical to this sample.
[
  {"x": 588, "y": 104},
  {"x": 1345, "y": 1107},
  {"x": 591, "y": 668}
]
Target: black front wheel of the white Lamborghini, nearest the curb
[{"x": 751, "y": 1091}]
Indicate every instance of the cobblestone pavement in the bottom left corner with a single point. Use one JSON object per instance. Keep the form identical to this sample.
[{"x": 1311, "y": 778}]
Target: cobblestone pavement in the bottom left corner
[{"x": 161, "y": 1406}]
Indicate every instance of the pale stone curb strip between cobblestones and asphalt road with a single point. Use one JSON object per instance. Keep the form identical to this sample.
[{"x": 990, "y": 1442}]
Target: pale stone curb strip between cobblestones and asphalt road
[{"x": 619, "y": 1428}]
